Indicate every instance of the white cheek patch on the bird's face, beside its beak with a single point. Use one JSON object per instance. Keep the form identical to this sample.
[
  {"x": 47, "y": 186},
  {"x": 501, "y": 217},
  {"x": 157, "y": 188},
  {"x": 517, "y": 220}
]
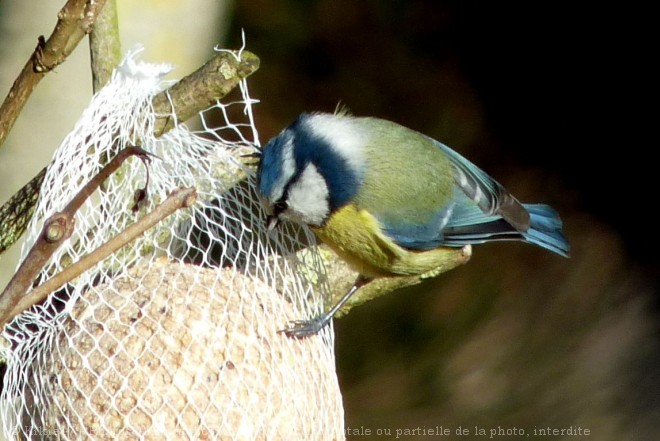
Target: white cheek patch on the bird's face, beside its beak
[{"x": 308, "y": 197}]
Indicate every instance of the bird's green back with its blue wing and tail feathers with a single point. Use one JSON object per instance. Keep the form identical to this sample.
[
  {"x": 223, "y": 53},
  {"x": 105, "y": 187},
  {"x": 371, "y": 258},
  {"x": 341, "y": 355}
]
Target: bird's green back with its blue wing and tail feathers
[{"x": 426, "y": 195}]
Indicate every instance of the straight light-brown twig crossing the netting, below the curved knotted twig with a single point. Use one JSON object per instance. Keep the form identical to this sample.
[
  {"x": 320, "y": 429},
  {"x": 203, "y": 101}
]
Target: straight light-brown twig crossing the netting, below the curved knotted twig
[{"x": 180, "y": 198}]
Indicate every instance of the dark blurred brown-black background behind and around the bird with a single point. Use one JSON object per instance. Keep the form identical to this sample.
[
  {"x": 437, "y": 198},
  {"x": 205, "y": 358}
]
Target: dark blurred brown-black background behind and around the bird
[{"x": 551, "y": 99}]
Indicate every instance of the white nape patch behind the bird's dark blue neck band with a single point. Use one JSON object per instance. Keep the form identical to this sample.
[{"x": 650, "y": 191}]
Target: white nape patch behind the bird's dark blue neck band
[{"x": 343, "y": 135}]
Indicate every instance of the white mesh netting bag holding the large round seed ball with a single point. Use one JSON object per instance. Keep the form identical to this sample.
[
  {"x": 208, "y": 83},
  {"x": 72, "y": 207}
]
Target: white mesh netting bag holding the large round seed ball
[{"x": 174, "y": 336}]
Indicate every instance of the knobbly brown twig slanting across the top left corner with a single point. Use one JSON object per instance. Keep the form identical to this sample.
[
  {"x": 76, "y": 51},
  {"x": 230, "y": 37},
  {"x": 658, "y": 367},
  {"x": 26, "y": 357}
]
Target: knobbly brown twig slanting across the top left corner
[{"x": 74, "y": 22}]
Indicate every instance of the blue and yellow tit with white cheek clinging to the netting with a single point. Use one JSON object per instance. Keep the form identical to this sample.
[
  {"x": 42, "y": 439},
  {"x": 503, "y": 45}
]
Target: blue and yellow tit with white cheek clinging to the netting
[{"x": 385, "y": 198}]
